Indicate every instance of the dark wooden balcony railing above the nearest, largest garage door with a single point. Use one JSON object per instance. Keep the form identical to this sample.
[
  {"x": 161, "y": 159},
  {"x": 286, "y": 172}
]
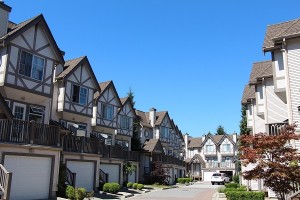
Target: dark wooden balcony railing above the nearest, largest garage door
[{"x": 24, "y": 132}]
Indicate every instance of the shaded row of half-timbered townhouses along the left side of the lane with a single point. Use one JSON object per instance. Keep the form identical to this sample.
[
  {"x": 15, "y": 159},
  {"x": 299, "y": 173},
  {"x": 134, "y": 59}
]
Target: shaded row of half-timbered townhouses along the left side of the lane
[{"x": 55, "y": 112}]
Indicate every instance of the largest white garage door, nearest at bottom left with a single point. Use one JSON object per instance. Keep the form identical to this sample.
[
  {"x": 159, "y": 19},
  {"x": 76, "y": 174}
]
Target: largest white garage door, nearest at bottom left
[{"x": 30, "y": 176}]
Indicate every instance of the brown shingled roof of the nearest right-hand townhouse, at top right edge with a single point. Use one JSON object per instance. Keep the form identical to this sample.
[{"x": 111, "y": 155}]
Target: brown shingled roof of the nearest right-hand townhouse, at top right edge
[{"x": 279, "y": 31}]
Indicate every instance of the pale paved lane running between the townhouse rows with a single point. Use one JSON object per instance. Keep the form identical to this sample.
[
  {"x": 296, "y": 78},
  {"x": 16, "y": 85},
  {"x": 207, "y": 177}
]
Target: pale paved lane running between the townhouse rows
[{"x": 197, "y": 191}]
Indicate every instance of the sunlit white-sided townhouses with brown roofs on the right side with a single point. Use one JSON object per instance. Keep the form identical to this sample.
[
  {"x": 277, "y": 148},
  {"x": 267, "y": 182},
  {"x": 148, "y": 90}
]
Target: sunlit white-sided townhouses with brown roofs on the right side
[{"x": 272, "y": 97}]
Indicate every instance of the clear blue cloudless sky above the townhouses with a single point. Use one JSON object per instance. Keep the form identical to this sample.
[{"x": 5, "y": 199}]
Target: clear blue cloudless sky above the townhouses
[{"x": 189, "y": 57}]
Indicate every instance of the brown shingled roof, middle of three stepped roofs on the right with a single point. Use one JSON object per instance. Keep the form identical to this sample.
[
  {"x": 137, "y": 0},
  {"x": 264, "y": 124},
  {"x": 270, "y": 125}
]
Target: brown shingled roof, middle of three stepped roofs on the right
[{"x": 261, "y": 70}]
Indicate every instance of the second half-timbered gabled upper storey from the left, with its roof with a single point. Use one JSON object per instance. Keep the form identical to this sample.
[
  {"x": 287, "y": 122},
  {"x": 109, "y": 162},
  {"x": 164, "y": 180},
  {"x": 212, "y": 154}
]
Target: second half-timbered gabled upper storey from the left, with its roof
[{"x": 73, "y": 99}]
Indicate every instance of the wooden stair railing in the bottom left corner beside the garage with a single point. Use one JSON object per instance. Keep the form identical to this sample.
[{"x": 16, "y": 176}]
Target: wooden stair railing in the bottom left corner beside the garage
[{"x": 5, "y": 182}]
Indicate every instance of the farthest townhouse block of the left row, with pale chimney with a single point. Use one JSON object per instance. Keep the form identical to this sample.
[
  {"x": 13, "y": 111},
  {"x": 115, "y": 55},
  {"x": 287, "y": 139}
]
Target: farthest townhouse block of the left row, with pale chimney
[{"x": 161, "y": 141}]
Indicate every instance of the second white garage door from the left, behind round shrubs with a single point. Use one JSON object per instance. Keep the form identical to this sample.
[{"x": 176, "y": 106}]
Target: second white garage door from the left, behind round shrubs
[{"x": 84, "y": 173}]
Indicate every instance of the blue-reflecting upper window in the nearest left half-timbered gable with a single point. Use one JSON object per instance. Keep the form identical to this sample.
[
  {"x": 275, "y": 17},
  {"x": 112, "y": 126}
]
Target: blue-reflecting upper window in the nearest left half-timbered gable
[{"x": 31, "y": 66}]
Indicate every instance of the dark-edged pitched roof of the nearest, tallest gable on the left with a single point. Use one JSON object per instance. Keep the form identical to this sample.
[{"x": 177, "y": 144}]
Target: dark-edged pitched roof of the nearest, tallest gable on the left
[{"x": 15, "y": 29}]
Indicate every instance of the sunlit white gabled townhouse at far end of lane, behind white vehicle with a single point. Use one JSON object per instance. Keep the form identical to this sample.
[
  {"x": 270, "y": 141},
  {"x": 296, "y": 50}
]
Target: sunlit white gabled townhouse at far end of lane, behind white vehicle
[{"x": 209, "y": 154}]
